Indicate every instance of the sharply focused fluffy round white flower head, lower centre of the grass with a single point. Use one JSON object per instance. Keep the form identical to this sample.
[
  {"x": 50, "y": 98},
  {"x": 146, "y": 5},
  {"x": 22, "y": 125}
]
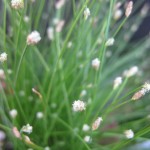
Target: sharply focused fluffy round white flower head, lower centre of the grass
[{"x": 78, "y": 105}]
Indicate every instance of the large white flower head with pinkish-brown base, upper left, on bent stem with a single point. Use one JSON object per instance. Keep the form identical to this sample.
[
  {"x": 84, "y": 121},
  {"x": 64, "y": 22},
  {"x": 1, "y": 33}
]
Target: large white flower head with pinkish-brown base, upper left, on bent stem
[{"x": 33, "y": 38}]
